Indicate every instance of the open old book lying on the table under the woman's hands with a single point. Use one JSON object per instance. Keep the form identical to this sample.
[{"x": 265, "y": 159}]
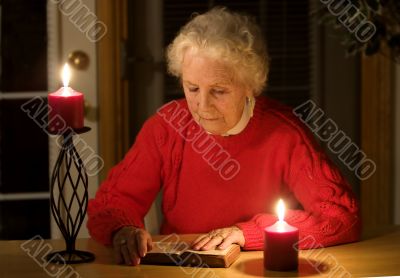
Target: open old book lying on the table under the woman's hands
[{"x": 179, "y": 253}]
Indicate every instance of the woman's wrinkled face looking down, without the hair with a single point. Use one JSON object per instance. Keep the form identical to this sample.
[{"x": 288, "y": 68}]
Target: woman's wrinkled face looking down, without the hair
[{"x": 214, "y": 99}]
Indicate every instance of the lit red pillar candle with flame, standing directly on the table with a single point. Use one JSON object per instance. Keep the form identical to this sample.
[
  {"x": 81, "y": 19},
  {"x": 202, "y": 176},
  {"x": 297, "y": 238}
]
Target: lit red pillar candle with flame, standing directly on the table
[{"x": 280, "y": 244}]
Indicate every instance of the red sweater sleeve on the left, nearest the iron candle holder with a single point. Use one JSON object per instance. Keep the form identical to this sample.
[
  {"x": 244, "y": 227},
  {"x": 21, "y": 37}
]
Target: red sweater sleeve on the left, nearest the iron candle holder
[{"x": 126, "y": 195}]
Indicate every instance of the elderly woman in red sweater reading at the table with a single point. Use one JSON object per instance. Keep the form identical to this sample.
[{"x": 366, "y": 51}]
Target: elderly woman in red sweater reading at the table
[{"x": 222, "y": 156}]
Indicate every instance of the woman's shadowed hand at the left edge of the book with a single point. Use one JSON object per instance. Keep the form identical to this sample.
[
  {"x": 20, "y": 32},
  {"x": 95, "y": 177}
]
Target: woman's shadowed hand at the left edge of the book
[{"x": 130, "y": 244}]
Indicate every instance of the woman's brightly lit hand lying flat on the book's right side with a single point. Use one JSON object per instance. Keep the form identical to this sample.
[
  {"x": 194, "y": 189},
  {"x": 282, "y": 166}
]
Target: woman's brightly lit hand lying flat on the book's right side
[{"x": 219, "y": 238}]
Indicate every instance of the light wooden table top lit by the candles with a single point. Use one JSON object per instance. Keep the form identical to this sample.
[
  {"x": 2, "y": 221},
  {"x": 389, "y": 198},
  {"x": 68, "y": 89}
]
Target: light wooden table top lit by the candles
[{"x": 377, "y": 255}]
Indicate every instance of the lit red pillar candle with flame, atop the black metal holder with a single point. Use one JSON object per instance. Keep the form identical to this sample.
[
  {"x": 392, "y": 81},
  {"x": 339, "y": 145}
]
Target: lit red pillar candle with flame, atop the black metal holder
[{"x": 65, "y": 106}]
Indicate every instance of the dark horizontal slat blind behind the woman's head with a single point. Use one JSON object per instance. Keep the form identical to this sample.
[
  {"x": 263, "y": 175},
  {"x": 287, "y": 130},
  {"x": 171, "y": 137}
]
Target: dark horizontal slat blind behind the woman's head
[{"x": 286, "y": 27}]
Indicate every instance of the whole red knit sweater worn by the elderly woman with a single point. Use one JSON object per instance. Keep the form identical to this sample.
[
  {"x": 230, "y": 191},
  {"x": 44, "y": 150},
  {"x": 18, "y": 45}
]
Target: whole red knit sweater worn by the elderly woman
[{"x": 211, "y": 182}]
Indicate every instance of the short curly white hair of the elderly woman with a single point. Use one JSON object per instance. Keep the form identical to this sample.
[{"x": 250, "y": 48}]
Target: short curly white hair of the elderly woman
[{"x": 228, "y": 36}]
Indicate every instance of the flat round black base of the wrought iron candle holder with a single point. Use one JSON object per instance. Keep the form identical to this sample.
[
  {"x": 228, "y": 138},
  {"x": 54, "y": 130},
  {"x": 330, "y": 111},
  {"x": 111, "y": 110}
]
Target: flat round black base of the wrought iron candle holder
[{"x": 70, "y": 257}]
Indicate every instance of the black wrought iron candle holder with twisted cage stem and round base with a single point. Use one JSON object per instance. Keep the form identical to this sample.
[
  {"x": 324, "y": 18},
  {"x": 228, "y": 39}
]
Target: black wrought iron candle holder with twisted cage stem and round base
[{"x": 69, "y": 211}]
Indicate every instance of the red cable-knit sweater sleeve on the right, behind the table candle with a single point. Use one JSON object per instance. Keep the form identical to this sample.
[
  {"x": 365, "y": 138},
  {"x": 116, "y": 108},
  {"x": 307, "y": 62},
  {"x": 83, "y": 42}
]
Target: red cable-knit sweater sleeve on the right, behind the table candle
[{"x": 329, "y": 214}]
